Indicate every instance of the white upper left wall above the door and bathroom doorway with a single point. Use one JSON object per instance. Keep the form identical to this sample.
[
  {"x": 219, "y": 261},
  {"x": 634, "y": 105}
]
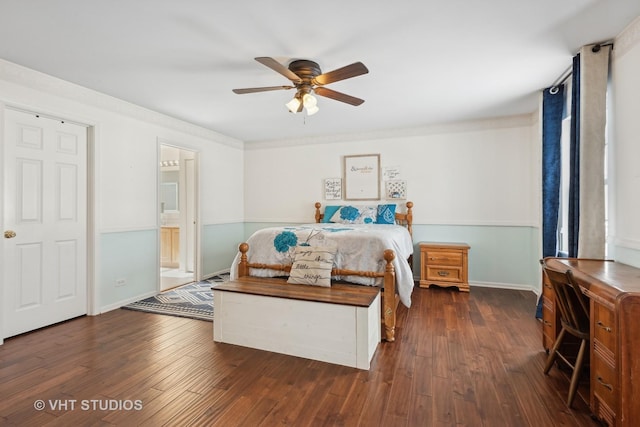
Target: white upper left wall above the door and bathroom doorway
[{"x": 127, "y": 141}]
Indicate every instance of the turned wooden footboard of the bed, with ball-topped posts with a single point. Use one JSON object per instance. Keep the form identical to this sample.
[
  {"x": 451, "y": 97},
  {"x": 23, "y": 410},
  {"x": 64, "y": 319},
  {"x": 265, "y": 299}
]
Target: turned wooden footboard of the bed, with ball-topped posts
[{"x": 390, "y": 298}]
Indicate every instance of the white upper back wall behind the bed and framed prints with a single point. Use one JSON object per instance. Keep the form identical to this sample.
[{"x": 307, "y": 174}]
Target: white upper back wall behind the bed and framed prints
[{"x": 478, "y": 173}]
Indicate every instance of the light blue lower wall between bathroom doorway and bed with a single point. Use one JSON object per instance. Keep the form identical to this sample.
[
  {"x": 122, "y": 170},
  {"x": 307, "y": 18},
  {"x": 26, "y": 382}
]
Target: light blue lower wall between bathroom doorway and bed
[{"x": 219, "y": 246}]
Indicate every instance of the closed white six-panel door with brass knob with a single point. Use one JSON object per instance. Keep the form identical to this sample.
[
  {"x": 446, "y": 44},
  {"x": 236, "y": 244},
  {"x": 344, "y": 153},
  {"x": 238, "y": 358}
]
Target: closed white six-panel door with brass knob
[{"x": 45, "y": 212}]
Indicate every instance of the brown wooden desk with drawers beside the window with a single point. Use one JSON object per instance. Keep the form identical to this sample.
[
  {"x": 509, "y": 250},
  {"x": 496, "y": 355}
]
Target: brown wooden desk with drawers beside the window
[{"x": 614, "y": 293}]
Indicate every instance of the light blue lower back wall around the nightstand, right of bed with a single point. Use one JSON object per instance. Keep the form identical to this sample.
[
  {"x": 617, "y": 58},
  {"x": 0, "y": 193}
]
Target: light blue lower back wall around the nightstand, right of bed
[{"x": 500, "y": 256}]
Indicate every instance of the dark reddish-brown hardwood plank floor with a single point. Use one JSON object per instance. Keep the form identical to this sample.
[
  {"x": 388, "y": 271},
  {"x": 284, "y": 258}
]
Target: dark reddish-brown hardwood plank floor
[{"x": 471, "y": 359}]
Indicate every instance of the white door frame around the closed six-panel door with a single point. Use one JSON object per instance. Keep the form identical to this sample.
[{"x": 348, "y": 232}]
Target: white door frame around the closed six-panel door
[{"x": 91, "y": 220}]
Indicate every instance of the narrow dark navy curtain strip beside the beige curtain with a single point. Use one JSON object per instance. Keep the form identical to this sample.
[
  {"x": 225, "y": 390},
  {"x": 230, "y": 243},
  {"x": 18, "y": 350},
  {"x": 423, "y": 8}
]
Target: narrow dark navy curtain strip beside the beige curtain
[{"x": 574, "y": 166}]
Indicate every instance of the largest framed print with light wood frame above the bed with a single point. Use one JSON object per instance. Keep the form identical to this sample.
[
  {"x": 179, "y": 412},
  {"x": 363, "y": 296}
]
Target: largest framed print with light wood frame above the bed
[{"x": 362, "y": 177}]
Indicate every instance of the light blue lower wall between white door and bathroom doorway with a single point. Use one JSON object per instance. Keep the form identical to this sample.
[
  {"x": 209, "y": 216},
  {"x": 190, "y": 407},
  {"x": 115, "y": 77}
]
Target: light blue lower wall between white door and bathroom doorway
[{"x": 132, "y": 257}]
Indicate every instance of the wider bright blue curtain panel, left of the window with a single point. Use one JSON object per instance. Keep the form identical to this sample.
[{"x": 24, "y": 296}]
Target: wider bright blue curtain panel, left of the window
[{"x": 552, "y": 108}]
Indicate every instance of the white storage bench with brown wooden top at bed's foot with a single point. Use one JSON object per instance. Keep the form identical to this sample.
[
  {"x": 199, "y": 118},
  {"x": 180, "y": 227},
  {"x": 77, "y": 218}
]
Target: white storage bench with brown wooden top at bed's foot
[{"x": 340, "y": 324}]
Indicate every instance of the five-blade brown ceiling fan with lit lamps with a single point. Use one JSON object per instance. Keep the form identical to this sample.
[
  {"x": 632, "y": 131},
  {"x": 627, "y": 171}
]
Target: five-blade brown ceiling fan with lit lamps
[{"x": 307, "y": 78}]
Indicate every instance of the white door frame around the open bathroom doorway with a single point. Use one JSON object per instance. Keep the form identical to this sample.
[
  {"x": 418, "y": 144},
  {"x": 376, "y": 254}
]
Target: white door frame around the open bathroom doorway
[{"x": 197, "y": 273}]
